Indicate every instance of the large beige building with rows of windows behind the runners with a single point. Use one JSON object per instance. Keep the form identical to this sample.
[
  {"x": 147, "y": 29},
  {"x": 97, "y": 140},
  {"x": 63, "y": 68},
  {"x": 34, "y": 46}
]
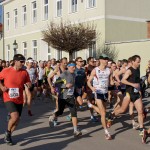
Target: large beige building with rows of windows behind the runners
[{"x": 121, "y": 23}]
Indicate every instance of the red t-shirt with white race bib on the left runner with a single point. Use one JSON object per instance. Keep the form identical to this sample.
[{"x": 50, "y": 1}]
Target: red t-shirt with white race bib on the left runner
[{"x": 14, "y": 80}]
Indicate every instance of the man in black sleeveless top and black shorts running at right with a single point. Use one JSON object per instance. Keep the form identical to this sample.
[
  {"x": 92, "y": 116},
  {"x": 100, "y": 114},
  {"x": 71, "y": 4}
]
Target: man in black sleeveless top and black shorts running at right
[{"x": 132, "y": 81}]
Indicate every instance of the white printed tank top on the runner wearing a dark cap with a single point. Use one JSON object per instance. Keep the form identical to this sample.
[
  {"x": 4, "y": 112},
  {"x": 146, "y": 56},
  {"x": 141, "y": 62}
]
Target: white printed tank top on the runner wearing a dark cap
[{"x": 101, "y": 80}]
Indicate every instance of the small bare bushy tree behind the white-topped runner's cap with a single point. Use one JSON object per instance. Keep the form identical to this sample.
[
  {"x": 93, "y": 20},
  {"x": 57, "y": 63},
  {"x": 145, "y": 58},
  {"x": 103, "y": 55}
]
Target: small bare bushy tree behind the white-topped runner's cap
[{"x": 109, "y": 50}]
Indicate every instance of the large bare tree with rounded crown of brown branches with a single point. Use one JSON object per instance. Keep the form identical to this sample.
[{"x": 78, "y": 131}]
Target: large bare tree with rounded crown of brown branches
[{"x": 69, "y": 37}]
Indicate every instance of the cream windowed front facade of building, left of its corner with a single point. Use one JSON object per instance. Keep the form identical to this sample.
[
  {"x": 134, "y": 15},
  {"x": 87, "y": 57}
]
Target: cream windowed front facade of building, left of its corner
[{"x": 24, "y": 21}]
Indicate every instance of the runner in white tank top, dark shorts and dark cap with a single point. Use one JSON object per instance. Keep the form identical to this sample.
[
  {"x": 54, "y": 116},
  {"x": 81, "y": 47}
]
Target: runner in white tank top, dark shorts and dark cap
[{"x": 101, "y": 77}]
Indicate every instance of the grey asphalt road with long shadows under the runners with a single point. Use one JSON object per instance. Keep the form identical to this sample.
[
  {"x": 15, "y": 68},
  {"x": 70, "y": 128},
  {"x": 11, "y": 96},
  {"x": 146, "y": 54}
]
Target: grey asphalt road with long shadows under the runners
[{"x": 34, "y": 133}]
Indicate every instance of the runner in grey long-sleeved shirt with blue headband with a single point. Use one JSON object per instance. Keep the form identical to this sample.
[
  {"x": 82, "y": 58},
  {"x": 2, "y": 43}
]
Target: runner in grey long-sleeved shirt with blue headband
[{"x": 66, "y": 97}]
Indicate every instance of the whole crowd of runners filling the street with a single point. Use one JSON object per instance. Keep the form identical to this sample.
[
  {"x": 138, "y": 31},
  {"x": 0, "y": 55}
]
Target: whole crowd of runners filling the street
[{"x": 101, "y": 84}]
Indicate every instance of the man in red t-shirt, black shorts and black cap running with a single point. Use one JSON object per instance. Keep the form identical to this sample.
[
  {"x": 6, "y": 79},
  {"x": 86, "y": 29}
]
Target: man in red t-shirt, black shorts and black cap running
[{"x": 15, "y": 78}]
